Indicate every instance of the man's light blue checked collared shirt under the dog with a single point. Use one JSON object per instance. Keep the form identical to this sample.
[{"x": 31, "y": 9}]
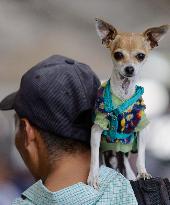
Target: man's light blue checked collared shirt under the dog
[{"x": 114, "y": 189}]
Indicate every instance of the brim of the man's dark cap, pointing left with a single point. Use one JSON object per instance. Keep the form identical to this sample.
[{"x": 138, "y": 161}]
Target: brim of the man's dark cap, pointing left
[{"x": 8, "y": 102}]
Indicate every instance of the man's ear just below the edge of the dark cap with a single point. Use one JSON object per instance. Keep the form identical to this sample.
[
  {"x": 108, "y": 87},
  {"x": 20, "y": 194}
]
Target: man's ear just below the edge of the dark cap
[{"x": 29, "y": 131}]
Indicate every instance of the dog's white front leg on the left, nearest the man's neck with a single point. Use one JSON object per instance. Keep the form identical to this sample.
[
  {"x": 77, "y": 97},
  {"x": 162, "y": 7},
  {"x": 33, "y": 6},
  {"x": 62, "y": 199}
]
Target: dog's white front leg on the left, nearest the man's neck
[{"x": 94, "y": 165}]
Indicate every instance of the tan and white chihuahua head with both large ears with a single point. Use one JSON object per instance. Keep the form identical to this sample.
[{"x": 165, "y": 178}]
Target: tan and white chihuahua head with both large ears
[{"x": 129, "y": 50}]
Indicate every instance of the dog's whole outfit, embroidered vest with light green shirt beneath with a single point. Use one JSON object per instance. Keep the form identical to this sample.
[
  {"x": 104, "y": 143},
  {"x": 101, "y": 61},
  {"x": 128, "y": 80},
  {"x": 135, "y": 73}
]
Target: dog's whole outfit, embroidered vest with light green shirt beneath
[{"x": 121, "y": 121}]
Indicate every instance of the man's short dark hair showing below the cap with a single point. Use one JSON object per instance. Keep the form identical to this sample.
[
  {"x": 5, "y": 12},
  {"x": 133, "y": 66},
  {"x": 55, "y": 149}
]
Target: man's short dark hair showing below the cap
[{"x": 57, "y": 145}]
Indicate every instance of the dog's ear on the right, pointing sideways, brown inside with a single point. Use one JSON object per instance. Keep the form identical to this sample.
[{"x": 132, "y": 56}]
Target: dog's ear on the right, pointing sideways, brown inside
[{"x": 154, "y": 35}]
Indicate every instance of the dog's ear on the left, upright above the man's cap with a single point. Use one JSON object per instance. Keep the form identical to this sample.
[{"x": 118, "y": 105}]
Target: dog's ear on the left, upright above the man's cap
[{"x": 105, "y": 31}]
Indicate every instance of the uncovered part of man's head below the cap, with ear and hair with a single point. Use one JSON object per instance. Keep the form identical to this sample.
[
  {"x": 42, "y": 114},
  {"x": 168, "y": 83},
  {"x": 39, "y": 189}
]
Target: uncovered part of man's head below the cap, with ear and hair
[{"x": 42, "y": 151}]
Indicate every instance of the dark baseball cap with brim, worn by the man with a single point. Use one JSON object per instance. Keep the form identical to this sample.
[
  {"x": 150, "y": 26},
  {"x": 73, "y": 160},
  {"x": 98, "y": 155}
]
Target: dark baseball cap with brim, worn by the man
[{"x": 57, "y": 95}]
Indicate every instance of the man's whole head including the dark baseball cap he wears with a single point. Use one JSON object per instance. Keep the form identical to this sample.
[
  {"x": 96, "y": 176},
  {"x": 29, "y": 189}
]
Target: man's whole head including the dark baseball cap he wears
[{"x": 53, "y": 111}]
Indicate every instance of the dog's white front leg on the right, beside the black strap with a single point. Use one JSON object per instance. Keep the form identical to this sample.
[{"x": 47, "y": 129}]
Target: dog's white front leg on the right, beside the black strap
[{"x": 142, "y": 173}]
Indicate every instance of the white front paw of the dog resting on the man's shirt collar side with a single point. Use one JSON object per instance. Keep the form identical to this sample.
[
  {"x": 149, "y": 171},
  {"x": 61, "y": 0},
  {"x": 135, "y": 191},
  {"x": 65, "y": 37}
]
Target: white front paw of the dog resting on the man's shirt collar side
[{"x": 93, "y": 179}]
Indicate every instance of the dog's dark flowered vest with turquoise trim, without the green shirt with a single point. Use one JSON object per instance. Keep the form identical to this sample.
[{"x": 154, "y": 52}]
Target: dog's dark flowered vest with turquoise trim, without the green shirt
[{"x": 123, "y": 119}]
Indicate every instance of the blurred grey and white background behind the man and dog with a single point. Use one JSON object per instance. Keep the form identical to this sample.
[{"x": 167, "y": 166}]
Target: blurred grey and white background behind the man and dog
[{"x": 32, "y": 30}]
